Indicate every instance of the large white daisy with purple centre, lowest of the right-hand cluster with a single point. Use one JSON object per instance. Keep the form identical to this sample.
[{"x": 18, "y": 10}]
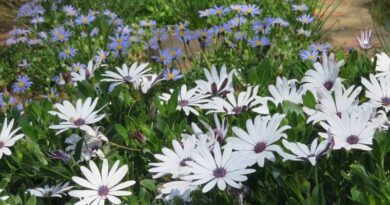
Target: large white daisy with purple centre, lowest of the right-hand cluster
[{"x": 351, "y": 131}]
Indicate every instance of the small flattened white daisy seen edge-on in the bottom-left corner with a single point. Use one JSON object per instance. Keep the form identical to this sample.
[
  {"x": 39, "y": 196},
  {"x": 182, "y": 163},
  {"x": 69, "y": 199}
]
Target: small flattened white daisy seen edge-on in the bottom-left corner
[{"x": 47, "y": 191}]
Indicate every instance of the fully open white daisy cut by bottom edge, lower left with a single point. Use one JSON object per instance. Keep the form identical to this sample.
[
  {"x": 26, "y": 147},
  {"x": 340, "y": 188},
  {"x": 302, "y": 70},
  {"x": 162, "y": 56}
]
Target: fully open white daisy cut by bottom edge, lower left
[{"x": 101, "y": 185}]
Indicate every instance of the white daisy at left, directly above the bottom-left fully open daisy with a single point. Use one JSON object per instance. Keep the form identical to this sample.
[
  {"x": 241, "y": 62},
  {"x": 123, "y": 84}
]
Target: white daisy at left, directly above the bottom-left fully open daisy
[{"x": 77, "y": 117}]
